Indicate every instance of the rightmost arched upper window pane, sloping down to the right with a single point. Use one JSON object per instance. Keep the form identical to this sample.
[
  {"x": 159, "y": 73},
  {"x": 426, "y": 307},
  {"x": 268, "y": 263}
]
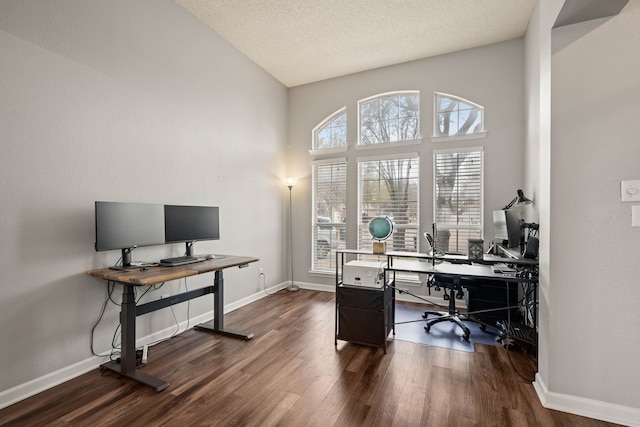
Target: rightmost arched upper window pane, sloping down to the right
[{"x": 455, "y": 116}]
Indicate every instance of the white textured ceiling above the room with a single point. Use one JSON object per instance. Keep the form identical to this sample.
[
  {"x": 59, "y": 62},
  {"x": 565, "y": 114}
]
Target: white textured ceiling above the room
[{"x": 303, "y": 41}]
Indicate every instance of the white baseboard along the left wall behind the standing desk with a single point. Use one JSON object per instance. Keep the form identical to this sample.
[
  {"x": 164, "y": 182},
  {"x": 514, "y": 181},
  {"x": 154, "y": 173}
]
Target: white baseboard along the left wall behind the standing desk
[{"x": 45, "y": 382}]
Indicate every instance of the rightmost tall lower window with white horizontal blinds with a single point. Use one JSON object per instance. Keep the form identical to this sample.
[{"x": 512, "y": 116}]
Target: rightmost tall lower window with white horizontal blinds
[{"x": 458, "y": 197}]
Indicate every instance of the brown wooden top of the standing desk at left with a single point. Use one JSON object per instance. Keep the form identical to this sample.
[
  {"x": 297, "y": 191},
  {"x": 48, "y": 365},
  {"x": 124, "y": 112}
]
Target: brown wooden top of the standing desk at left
[{"x": 159, "y": 274}]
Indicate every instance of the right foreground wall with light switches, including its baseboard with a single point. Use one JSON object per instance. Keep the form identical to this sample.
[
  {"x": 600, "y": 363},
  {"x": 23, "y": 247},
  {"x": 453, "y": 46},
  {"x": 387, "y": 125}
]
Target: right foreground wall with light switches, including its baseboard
[{"x": 589, "y": 297}]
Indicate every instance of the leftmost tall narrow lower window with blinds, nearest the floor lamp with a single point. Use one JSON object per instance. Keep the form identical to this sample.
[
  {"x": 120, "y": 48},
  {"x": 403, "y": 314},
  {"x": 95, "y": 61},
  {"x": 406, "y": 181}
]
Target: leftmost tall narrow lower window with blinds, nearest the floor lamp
[{"x": 329, "y": 213}]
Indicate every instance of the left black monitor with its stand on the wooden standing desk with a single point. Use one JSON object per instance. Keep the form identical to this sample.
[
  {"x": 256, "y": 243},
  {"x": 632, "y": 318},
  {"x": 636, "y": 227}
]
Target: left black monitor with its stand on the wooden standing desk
[{"x": 126, "y": 226}]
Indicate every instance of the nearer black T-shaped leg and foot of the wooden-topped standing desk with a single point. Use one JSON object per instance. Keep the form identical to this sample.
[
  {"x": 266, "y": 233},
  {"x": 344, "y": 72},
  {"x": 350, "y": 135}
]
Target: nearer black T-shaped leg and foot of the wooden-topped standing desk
[{"x": 127, "y": 365}]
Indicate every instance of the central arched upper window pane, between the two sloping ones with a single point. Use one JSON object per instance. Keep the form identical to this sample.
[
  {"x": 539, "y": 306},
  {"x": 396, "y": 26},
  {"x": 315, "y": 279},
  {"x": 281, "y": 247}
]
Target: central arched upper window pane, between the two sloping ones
[{"x": 390, "y": 117}]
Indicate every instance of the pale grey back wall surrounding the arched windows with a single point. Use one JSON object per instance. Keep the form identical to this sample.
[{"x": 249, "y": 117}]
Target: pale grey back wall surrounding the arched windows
[{"x": 492, "y": 76}]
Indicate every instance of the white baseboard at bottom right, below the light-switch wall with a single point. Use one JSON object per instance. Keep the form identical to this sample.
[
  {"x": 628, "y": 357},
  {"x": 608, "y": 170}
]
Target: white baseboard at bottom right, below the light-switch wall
[{"x": 590, "y": 408}]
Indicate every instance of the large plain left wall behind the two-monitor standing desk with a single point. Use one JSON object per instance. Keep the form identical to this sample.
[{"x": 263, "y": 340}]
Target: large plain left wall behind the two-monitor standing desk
[{"x": 123, "y": 101}]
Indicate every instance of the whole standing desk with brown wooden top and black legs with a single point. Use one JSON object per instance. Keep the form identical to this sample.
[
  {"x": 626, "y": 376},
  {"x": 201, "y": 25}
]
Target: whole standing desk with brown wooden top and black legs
[{"x": 129, "y": 279}]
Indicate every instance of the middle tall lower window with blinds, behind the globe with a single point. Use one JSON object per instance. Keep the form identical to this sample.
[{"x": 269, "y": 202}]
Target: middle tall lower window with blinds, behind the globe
[{"x": 389, "y": 187}]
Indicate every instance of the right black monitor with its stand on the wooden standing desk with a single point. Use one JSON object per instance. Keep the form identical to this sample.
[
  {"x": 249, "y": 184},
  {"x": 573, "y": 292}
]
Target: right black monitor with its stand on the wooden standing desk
[{"x": 189, "y": 224}]
